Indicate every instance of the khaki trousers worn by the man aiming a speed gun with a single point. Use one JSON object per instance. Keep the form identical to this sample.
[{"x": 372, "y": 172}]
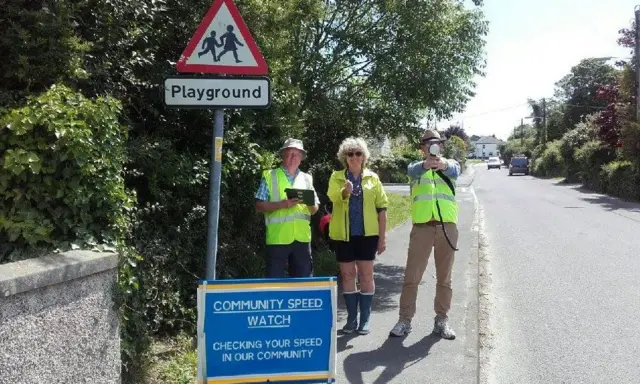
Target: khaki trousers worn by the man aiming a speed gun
[{"x": 424, "y": 237}]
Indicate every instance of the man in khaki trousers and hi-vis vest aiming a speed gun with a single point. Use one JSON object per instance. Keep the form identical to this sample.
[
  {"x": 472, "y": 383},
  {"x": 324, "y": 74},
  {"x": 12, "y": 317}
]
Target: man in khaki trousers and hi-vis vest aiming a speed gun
[{"x": 434, "y": 213}]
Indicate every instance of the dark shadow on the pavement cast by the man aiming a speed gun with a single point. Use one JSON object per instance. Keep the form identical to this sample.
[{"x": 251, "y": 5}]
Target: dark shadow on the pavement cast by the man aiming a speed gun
[{"x": 392, "y": 355}]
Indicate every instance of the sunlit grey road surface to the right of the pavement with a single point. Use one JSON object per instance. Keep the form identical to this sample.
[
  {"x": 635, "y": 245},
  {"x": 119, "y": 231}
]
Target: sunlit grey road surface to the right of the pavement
[{"x": 565, "y": 282}]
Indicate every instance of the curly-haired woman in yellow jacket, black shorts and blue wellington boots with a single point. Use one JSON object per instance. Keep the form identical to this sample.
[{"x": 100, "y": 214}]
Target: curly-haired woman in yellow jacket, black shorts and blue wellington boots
[{"x": 358, "y": 229}]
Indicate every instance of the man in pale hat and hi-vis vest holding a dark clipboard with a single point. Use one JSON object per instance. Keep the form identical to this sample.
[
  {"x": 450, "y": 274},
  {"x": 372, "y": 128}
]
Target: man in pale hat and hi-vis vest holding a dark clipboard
[{"x": 287, "y": 220}]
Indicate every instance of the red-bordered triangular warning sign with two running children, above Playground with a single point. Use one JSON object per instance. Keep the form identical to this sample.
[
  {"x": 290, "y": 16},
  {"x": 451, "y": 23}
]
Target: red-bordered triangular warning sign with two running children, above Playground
[{"x": 222, "y": 44}]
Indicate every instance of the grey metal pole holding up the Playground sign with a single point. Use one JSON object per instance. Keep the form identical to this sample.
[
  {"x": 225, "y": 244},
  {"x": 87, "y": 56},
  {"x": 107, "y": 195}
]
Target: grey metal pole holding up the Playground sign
[{"x": 215, "y": 177}]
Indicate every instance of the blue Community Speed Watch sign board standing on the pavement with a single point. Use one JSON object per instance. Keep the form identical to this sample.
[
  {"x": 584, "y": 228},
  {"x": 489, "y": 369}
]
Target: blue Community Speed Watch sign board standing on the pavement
[{"x": 267, "y": 331}]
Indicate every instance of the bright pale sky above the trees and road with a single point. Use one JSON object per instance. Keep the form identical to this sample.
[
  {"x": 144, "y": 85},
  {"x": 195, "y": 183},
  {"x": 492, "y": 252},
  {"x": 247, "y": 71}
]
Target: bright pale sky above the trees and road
[{"x": 530, "y": 46}]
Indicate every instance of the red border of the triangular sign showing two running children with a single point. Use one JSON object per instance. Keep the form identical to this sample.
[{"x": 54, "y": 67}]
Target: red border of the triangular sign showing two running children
[{"x": 260, "y": 69}]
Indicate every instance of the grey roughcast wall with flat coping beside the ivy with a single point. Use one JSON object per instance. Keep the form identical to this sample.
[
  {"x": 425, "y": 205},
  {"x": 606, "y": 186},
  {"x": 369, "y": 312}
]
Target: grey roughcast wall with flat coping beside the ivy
[{"x": 58, "y": 320}]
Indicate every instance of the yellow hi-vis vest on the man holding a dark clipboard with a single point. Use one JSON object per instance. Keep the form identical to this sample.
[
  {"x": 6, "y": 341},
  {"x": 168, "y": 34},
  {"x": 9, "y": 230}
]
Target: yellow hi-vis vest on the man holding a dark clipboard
[{"x": 285, "y": 226}]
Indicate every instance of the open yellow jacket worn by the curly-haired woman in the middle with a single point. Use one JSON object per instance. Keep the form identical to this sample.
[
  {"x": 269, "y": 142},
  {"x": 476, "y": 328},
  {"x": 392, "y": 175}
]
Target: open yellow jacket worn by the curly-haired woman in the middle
[{"x": 374, "y": 198}]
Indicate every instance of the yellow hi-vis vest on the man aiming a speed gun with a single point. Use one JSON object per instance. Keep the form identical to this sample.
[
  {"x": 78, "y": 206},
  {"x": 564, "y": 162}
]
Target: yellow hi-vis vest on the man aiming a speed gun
[{"x": 424, "y": 192}]
